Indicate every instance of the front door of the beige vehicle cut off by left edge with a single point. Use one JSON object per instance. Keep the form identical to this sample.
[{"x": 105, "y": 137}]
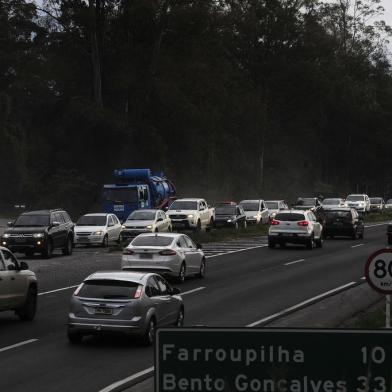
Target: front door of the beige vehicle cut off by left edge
[{"x": 16, "y": 280}]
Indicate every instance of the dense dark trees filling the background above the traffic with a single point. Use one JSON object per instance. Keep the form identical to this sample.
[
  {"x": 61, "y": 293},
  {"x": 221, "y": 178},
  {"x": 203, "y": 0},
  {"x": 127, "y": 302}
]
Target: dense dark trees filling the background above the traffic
[{"x": 230, "y": 98}]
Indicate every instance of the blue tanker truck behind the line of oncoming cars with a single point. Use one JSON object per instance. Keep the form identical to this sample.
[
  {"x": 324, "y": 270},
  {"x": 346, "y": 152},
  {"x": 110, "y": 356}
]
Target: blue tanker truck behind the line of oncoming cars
[{"x": 135, "y": 189}]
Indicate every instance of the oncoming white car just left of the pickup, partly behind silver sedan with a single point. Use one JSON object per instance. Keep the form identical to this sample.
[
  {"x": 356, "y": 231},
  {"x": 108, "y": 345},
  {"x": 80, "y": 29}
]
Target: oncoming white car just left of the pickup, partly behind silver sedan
[{"x": 145, "y": 221}]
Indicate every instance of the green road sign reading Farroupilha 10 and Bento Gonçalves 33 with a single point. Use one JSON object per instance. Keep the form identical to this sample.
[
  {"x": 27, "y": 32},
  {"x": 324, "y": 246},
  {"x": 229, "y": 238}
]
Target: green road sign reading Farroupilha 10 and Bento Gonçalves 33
[{"x": 273, "y": 360}]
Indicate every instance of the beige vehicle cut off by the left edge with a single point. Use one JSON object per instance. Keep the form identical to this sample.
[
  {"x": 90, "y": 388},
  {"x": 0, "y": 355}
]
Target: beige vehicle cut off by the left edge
[{"x": 18, "y": 286}]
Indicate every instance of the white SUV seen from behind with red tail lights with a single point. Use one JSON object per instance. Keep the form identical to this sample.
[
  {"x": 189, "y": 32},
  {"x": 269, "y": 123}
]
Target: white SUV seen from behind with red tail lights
[{"x": 295, "y": 227}]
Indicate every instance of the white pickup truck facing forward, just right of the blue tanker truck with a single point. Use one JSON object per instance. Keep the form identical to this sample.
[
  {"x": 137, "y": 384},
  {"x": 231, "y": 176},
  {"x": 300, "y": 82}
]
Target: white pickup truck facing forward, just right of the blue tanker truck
[{"x": 192, "y": 214}]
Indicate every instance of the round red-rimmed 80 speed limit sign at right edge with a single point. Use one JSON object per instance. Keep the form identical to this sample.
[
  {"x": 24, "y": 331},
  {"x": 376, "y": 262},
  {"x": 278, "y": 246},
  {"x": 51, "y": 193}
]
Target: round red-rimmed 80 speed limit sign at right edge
[{"x": 378, "y": 271}]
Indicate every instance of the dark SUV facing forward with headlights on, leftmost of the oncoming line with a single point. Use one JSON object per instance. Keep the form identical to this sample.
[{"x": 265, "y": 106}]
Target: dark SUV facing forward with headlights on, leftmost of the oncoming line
[{"x": 40, "y": 232}]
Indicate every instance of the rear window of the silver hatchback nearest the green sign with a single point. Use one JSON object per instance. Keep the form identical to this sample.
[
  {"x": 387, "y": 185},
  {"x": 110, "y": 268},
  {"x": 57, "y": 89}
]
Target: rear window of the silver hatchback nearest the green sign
[{"x": 108, "y": 289}]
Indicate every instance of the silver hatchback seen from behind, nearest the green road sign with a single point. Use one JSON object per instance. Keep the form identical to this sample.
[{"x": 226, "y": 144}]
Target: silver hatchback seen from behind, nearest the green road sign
[{"x": 130, "y": 303}]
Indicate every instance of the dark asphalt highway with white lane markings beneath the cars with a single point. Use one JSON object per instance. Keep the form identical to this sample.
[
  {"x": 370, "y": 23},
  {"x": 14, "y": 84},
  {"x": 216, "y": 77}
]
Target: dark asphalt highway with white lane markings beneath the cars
[{"x": 245, "y": 287}]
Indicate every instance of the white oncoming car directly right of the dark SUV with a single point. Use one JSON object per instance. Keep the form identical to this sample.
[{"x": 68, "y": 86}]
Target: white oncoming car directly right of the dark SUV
[{"x": 97, "y": 229}]
